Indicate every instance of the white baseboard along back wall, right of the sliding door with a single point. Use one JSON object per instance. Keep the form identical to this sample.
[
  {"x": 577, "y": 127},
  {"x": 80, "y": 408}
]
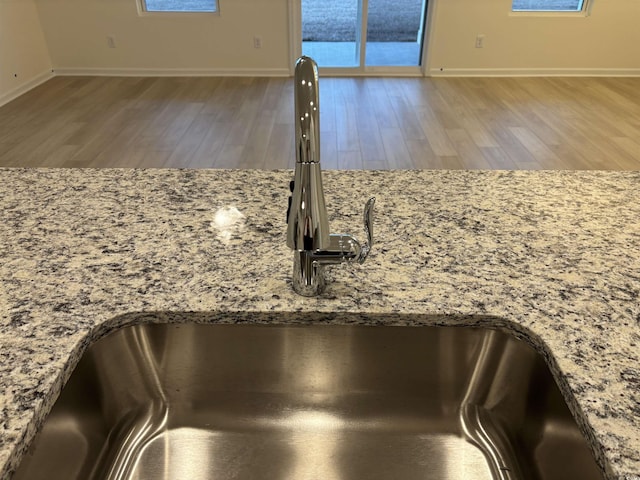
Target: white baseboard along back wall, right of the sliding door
[{"x": 534, "y": 72}]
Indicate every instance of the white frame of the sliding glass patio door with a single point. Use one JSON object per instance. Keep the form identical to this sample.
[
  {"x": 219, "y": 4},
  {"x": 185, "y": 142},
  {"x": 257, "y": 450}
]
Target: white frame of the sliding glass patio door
[{"x": 295, "y": 47}]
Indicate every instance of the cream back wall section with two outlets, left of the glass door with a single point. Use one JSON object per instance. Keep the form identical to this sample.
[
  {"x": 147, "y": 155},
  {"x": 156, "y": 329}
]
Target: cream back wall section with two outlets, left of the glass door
[{"x": 76, "y": 32}]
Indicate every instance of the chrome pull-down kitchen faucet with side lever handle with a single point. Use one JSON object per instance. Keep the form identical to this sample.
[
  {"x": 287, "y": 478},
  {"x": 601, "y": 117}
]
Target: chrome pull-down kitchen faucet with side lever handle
[{"x": 308, "y": 231}]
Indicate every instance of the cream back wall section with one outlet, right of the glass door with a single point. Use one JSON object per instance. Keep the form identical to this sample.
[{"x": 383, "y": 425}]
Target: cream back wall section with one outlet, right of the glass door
[{"x": 607, "y": 41}]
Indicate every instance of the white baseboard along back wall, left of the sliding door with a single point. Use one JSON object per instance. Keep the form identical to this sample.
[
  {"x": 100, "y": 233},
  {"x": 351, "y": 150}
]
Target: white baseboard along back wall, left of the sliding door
[{"x": 173, "y": 72}]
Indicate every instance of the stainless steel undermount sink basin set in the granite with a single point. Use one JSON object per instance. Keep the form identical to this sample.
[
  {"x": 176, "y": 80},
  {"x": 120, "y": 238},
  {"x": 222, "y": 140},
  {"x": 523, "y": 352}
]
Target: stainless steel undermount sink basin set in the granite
[{"x": 225, "y": 402}]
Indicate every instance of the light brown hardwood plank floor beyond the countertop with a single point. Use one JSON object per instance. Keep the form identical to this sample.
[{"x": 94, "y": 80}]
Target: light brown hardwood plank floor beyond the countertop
[{"x": 371, "y": 123}]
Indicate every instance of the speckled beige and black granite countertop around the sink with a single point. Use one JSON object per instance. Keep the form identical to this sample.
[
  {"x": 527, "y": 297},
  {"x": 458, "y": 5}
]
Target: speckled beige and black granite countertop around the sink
[{"x": 554, "y": 256}]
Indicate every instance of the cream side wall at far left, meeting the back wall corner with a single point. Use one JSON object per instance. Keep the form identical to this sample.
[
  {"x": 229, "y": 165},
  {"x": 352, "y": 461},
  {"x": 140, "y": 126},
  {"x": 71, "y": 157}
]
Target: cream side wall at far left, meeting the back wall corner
[{"x": 24, "y": 58}]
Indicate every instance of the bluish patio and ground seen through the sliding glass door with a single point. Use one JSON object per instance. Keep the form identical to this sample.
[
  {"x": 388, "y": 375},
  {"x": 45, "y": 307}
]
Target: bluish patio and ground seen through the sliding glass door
[{"x": 363, "y": 33}]
